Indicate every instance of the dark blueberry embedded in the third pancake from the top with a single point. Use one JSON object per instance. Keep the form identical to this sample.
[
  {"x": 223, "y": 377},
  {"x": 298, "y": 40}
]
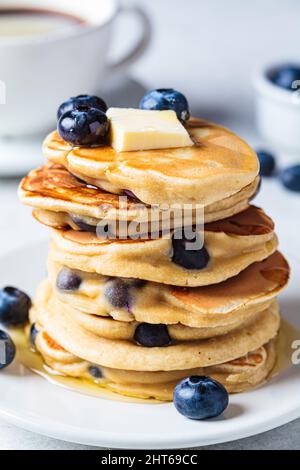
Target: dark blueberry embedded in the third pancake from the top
[{"x": 185, "y": 256}]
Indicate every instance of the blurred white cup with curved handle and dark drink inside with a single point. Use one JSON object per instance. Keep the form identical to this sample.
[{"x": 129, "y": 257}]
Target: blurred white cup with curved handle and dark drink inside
[{"x": 38, "y": 72}]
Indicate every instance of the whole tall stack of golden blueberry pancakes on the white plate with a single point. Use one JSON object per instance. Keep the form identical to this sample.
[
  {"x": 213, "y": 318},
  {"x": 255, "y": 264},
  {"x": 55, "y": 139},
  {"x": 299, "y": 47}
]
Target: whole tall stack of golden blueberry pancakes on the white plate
[{"x": 124, "y": 312}]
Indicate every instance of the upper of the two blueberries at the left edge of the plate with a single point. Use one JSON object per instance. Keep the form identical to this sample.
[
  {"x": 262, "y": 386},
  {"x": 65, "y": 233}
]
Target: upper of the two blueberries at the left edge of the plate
[{"x": 14, "y": 306}]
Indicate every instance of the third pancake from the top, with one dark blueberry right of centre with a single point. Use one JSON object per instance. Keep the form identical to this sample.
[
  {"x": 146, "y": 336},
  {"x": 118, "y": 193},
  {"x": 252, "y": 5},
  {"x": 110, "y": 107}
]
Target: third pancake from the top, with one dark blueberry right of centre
[{"x": 232, "y": 245}]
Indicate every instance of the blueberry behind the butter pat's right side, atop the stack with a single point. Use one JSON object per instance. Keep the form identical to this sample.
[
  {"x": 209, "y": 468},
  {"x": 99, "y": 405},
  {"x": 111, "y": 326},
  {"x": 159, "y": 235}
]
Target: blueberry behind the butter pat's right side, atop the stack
[{"x": 167, "y": 98}]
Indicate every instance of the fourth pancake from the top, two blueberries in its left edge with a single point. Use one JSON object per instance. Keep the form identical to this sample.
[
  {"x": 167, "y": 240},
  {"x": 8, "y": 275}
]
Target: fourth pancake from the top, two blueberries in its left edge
[{"x": 216, "y": 308}]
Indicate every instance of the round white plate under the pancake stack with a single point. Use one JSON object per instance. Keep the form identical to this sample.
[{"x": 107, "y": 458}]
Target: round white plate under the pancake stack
[{"x": 34, "y": 404}]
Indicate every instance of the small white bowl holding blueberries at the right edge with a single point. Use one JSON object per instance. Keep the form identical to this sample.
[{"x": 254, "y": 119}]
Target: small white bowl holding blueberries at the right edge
[{"x": 277, "y": 111}]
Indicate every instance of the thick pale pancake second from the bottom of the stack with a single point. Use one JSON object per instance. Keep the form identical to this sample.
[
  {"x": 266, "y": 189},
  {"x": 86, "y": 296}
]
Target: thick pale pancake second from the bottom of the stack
[{"x": 61, "y": 326}]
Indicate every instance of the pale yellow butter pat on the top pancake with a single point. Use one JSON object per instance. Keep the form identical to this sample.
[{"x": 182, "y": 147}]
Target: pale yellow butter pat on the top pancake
[{"x": 139, "y": 129}]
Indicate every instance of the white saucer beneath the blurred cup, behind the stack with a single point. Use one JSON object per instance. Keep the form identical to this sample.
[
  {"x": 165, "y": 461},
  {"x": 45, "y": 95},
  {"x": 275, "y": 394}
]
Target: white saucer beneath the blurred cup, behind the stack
[{"x": 18, "y": 156}]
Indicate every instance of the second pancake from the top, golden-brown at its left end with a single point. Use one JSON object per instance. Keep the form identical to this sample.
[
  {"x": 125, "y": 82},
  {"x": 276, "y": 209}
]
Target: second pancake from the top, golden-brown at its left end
[{"x": 59, "y": 198}]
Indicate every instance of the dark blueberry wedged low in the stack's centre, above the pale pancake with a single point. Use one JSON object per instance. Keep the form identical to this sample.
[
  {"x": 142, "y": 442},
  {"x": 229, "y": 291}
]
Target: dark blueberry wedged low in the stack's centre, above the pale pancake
[{"x": 151, "y": 336}]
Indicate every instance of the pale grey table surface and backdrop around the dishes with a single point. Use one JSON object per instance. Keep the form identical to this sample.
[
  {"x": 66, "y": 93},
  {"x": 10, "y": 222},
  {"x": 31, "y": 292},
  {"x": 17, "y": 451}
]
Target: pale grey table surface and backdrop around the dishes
[{"x": 208, "y": 50}]
